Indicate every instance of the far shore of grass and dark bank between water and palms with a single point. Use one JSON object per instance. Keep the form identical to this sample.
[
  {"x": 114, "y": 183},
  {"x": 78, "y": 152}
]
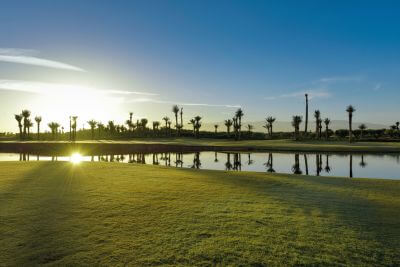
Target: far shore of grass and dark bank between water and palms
[{"x": 190, "y": 145}]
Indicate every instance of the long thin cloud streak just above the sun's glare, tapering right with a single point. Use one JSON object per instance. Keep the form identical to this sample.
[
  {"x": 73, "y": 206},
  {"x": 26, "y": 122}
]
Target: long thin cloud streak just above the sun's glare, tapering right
[{"x": 56, "y": 88}]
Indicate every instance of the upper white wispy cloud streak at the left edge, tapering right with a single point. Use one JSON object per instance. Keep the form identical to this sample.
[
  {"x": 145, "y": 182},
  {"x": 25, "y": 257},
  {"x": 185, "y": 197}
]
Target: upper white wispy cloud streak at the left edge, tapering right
[{"x": 25, "y": 56}]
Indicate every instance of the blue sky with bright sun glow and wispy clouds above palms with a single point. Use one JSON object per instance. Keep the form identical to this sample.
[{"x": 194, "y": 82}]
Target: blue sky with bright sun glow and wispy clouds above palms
[{"x": 103, "y": 59}]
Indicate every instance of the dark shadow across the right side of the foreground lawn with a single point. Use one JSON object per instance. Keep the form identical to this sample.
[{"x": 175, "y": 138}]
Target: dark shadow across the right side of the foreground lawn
[{"x": 372, "y": 213}]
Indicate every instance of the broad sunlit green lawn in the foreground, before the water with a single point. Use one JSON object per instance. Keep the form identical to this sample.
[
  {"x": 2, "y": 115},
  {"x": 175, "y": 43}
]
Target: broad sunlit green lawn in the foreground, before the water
[{"x": 108, "y": 214}]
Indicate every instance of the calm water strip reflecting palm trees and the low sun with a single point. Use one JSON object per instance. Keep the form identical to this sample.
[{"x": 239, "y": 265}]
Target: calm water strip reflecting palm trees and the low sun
[{"x": 366, "y": 166}]
